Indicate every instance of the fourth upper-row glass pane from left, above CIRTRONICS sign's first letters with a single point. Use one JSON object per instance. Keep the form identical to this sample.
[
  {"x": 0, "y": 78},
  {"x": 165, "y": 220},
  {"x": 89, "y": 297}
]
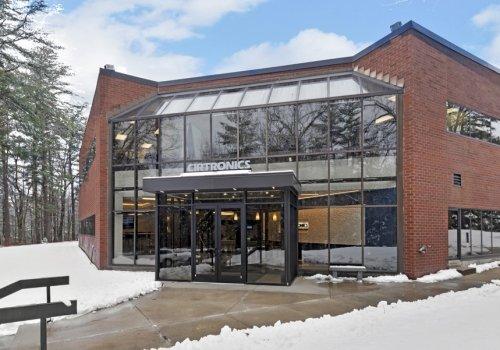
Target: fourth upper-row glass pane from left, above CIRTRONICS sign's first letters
[{"x": 198, "y": 137}]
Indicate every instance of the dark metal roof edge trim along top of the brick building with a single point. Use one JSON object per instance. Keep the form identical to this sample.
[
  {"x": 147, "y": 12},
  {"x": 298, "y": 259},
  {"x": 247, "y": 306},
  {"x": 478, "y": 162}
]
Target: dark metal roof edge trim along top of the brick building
[{"x": 410, "y": 25}]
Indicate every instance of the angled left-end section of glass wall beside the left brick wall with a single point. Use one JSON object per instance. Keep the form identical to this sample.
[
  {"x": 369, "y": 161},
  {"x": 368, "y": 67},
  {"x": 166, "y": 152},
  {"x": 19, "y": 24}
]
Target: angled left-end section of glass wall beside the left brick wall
[{"x": 135, "y": 156}]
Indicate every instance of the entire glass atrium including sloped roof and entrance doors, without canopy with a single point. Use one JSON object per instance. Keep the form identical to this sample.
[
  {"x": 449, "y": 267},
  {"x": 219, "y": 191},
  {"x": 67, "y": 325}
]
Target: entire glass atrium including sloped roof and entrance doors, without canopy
[{"x": 338, "y": 134}]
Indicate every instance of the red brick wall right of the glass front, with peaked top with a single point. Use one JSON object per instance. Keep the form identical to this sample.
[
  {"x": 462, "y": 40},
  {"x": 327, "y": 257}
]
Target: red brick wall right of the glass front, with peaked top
[{"x": 430, "y": 153}]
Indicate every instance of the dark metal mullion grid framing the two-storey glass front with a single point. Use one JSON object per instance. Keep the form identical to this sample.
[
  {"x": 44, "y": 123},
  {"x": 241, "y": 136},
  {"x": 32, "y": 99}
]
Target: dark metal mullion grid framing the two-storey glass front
[{"x": 296, "y": 155}]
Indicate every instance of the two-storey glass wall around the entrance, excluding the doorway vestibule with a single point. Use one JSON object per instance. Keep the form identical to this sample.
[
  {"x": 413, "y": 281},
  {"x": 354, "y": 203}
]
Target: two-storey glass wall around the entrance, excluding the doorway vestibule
[{"x": 342, "y": 150}]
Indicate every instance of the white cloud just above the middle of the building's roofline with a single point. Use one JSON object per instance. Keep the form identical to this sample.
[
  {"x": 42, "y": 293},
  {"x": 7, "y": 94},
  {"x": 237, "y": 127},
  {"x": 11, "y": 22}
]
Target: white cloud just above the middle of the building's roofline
[{"x": 307, "y": 45}]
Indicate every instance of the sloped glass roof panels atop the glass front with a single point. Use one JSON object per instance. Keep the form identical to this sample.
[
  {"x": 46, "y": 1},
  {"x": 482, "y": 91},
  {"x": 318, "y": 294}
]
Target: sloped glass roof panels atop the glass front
[{"x": 339, "y": 85}]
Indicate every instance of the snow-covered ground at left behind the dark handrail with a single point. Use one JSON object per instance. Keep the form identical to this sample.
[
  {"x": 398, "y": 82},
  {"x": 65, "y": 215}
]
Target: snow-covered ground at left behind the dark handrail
[{"x": 92, "y": 288}]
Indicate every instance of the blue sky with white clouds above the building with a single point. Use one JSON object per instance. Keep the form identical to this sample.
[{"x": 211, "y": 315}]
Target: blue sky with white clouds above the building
[{"x": 170, "y": 39}]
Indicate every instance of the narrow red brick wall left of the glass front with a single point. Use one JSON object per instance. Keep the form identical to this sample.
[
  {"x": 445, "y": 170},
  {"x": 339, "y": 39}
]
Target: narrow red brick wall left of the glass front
[{"x": 111, "y": 94}]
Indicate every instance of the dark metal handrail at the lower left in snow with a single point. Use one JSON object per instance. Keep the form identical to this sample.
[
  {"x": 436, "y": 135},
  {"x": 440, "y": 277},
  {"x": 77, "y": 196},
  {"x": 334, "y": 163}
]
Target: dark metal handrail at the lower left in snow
[{"x": 36, "y": 311}]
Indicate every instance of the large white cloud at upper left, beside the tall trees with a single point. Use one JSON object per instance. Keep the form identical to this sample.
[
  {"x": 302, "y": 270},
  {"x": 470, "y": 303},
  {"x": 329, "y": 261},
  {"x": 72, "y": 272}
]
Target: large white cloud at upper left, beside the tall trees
[{"x": 133, "y": 35}]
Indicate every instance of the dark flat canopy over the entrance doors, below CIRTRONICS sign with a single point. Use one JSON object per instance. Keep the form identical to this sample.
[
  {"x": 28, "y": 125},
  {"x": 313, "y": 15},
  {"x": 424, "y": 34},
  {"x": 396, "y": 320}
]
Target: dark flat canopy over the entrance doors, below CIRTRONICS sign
[{"x": 240, "y": 179}]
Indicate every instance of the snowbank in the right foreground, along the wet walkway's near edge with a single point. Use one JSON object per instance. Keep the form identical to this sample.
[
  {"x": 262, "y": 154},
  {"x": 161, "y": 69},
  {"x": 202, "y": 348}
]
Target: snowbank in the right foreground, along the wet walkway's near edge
[{"x": 440, "y": 322}]
